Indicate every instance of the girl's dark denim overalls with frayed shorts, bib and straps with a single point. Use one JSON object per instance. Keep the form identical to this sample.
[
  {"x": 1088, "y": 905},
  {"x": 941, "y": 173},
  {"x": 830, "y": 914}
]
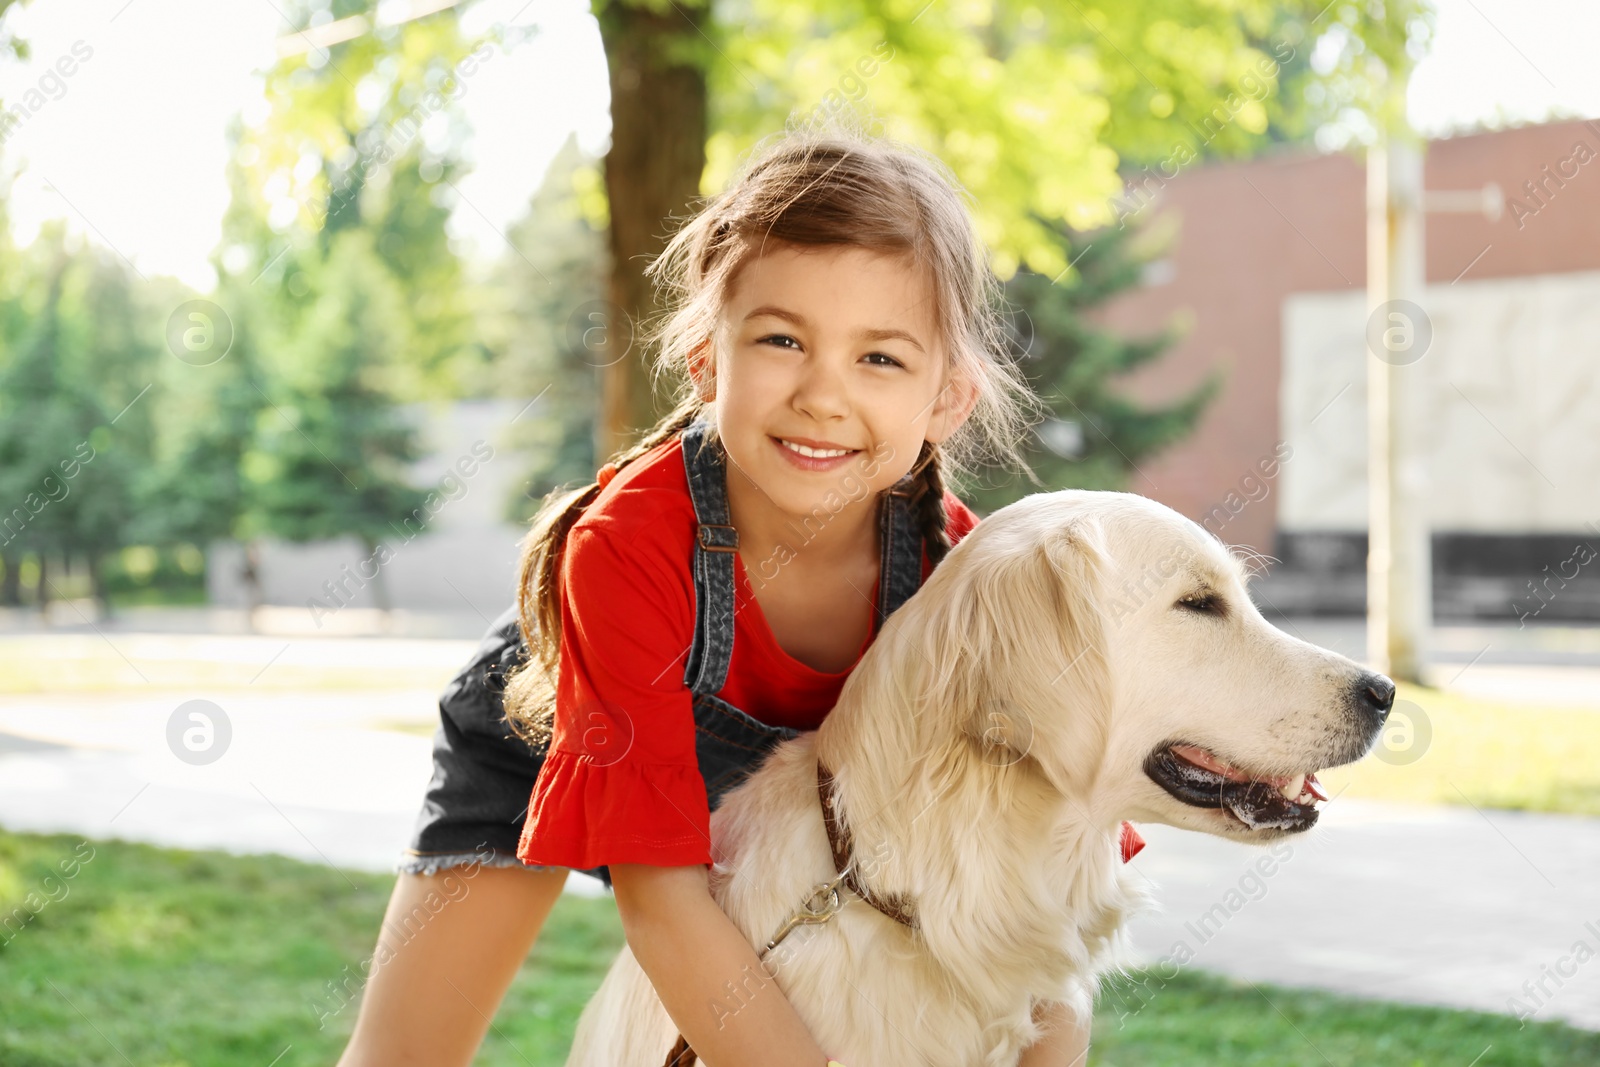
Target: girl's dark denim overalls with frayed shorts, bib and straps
[{"x": 484, "y": 775}]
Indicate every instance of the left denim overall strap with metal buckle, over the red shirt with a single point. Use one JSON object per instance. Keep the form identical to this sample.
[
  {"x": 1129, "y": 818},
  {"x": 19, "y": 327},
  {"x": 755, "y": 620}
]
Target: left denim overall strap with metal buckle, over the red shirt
[{"x": 716, "y": 543}]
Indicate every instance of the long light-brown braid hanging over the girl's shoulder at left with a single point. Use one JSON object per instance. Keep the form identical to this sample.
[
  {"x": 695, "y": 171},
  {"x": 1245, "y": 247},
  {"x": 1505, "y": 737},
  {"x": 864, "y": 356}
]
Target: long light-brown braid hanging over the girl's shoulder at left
[{"x": 530, "y": 687}]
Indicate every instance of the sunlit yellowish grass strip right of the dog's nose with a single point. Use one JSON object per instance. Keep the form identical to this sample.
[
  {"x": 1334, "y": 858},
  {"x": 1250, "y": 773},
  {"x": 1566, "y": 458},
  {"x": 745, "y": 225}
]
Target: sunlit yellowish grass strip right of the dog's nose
[{"x": 1492, "y": 754}]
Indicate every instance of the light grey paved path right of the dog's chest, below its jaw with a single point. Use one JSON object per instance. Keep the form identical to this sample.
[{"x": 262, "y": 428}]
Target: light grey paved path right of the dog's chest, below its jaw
[{"x": 1444, "y": 906}]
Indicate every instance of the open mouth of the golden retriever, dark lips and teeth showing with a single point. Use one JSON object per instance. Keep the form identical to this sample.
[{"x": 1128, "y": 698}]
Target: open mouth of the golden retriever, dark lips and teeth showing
[{"x": 1262, "y": 802}]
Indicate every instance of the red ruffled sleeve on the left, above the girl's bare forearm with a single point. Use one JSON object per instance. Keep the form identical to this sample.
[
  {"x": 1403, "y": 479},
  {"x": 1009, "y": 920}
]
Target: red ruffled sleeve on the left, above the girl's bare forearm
[{"x": 622, "y": 783}]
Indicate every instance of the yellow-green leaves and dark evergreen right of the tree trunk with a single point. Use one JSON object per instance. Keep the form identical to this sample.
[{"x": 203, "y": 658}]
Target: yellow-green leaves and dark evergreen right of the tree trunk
[{"x": 1049, "y": 113}]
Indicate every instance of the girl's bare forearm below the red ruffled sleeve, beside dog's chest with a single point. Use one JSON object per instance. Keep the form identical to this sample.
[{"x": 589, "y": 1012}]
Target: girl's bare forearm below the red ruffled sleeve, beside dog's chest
[{"x": 690, "y": 949}]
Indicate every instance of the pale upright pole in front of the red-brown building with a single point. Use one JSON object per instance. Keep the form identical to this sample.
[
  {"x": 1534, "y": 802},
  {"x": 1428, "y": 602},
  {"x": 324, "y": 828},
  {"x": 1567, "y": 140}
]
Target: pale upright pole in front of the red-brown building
[{"x": 1399, "y": 581}]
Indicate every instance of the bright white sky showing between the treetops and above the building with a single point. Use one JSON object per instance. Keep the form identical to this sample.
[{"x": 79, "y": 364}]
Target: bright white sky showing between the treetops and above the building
[{"x": 132, "y": 153}]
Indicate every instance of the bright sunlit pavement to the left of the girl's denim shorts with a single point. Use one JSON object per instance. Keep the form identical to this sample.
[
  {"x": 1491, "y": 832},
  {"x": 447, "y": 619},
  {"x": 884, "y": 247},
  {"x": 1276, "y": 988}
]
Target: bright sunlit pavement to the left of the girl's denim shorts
[{"x": 305, "y": 775}]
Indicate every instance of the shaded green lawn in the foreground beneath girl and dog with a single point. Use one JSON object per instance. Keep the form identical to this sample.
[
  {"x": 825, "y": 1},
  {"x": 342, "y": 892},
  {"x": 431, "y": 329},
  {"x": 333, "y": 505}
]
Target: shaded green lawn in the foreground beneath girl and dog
[{"x": 177, "y": 959}]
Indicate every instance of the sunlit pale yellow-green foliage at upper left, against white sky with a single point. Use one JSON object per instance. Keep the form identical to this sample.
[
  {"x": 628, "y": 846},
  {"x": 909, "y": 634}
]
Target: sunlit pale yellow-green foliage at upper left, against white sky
[{"x": 343, "y": 148}]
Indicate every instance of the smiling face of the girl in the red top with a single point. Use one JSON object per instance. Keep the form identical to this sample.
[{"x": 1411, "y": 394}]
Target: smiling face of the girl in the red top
[{"x": 834, "y": 348}]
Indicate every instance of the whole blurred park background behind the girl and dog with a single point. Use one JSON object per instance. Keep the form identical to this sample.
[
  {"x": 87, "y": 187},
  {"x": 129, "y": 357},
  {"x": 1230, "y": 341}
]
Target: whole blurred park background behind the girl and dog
[{"x": 305, "y": 306}]
